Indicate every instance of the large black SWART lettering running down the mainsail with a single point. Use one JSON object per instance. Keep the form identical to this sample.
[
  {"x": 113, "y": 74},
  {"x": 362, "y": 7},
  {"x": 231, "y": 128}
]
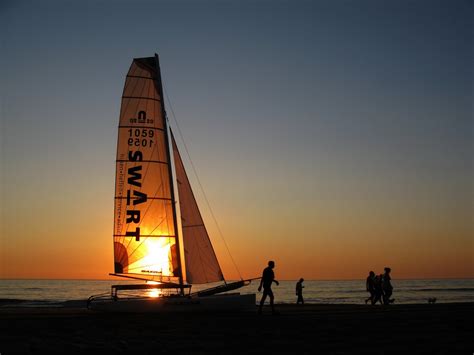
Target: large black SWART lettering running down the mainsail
[{"x": 134, "y": 196}]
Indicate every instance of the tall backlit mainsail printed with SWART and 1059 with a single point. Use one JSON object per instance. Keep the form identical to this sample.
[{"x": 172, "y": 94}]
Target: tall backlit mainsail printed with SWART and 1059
[{"x": 145, "y": 236}]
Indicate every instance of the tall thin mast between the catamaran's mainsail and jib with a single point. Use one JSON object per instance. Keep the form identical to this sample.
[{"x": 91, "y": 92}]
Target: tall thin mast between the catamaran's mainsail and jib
[{"x": 170, "y": 170}]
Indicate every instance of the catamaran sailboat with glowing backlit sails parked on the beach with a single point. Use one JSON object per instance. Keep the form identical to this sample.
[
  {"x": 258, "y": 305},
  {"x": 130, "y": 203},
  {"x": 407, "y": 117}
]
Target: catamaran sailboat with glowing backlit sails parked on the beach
[{"x": 149, "y": 244}]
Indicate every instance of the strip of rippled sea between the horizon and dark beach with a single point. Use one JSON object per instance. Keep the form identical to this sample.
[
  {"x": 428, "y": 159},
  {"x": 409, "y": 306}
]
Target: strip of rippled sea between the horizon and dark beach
[{"x": 56, "y": 292}]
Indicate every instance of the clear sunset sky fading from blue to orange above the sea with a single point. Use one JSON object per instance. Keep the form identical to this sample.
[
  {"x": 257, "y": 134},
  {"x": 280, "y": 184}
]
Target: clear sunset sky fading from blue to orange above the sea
[{"x": 334, "y": 137}]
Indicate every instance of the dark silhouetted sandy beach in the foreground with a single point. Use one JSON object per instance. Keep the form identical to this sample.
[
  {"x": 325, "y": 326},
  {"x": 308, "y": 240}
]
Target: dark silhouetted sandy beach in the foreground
[{"x": 325, "y": 329}]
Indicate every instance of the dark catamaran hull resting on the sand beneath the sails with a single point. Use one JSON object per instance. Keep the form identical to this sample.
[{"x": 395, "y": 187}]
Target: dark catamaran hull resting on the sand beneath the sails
[{"x": 225, "y": 302}]
